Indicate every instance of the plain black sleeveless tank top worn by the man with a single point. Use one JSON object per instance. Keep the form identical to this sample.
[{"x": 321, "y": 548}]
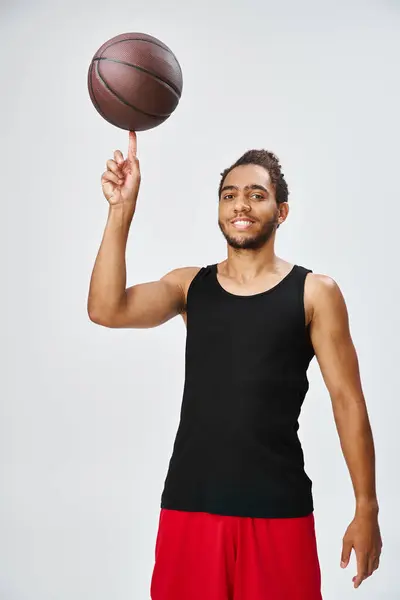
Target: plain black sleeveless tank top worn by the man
[{"x": 236, "y": 450}]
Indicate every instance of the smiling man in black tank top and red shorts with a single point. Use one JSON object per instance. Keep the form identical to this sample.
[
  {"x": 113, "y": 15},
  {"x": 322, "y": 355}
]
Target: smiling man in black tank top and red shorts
[{"x": 236, "y": 520}]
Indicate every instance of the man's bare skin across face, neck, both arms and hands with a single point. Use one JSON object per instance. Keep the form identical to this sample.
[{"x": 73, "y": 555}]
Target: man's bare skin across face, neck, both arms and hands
[{"x": 251, "y": 267}]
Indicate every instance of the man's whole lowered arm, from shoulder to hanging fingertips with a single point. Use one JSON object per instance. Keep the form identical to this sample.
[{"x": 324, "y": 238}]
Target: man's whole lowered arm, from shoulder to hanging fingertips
[{"x": 338, "y": 361}]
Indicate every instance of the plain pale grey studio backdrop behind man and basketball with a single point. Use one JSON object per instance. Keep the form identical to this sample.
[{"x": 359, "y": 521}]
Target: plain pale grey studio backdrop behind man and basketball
[{"x": 89, "y": 414}]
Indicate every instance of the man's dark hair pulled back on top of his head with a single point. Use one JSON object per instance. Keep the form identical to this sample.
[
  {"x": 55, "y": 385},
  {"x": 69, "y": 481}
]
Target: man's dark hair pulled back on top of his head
[{"x": 270, "y": 162}]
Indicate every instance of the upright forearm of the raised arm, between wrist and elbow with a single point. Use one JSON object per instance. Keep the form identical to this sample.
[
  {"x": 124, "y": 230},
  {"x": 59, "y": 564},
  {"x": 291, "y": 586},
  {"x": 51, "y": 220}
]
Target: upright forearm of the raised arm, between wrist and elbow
[{"x": 108, "y": 281}]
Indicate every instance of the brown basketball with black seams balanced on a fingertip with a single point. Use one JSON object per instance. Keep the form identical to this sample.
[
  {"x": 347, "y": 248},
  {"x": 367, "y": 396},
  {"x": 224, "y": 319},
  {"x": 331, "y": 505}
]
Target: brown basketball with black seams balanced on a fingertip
[{"x": 135, "y": 81}]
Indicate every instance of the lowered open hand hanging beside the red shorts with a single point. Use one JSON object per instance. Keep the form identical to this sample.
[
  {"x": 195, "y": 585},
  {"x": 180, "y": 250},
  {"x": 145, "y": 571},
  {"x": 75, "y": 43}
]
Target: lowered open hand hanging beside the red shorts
[{"x": 363, "y": 534}]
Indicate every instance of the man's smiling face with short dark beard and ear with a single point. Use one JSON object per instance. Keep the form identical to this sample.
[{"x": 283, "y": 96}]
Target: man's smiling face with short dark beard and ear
[{"x": 248, "y": 212}]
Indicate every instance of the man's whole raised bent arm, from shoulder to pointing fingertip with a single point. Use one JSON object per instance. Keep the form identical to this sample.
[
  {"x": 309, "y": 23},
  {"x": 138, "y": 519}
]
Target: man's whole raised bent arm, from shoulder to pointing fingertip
[{"x": 110, "y": 303}]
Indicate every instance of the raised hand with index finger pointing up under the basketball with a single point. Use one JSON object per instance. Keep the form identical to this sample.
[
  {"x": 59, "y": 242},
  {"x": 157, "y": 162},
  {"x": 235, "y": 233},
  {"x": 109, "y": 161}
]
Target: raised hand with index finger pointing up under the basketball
[{"x": 121, "y": 181}]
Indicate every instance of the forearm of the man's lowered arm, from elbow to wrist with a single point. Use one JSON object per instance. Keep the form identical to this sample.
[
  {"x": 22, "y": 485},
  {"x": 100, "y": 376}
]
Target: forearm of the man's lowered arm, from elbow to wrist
[{"x": 357, "y": 444}]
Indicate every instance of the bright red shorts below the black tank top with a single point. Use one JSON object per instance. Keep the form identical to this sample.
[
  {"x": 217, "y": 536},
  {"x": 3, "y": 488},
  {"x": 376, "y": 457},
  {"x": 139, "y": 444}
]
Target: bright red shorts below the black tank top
[{"x": 203, "y": 556}]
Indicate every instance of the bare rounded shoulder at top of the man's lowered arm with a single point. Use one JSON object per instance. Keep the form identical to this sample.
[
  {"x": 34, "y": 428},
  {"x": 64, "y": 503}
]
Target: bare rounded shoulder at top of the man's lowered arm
[{"x": 322, "y": 294}]
